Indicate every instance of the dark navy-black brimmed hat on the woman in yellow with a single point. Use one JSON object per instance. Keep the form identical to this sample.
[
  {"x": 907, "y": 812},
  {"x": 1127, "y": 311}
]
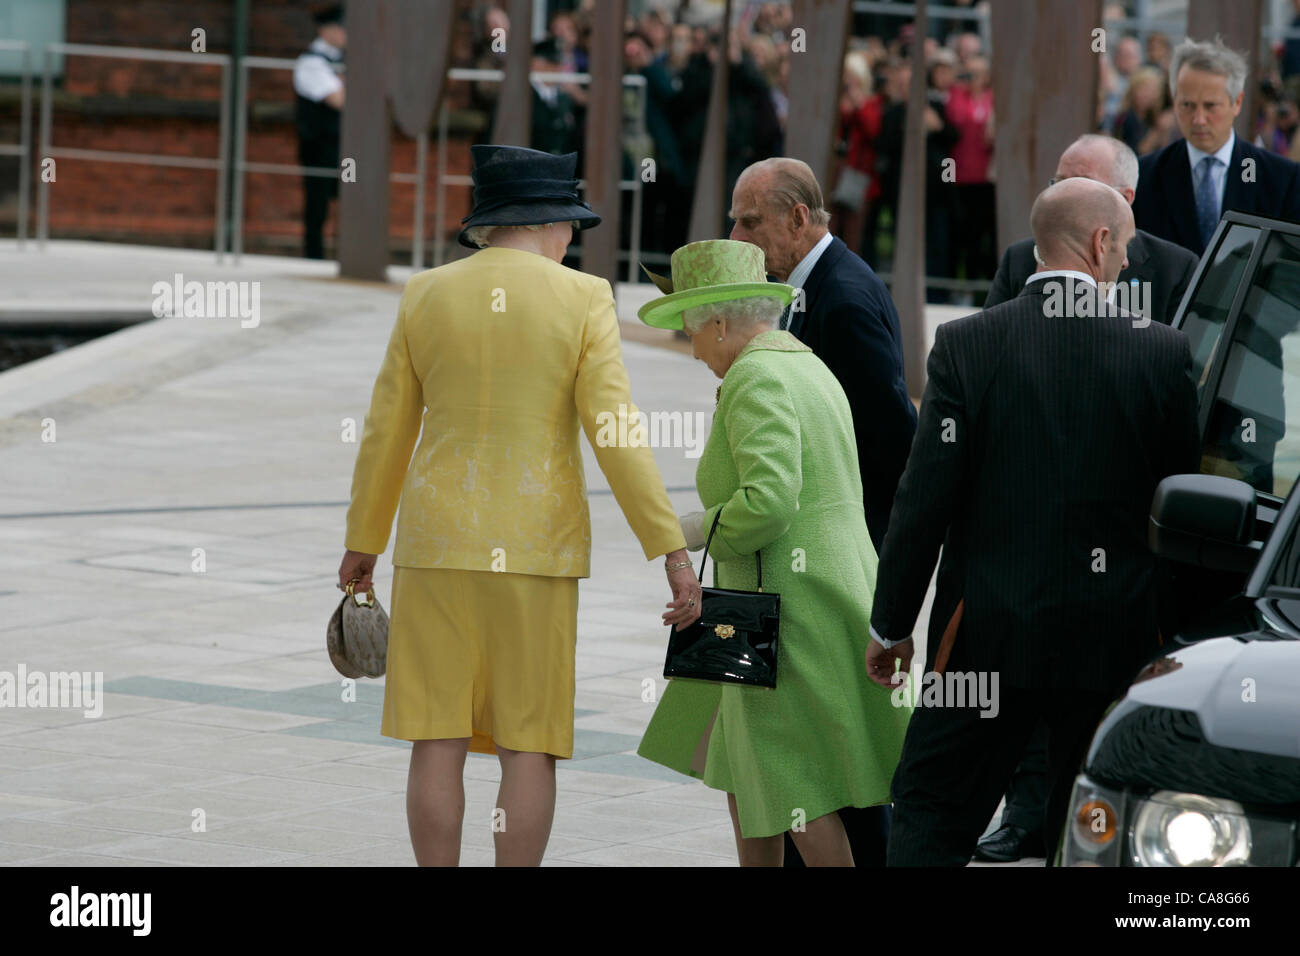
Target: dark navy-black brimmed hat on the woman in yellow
[{"x": 515, "y": 187}]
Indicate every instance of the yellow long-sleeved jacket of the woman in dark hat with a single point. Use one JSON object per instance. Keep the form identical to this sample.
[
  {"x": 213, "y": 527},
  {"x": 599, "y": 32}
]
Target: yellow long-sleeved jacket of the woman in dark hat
[{"x": 505, "y": 353}]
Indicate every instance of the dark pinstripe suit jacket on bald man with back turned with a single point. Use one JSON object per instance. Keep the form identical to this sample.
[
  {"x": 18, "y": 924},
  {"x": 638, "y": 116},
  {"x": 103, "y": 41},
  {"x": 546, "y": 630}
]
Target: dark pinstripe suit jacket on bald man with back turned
[{"x": 1041, "y": 444}]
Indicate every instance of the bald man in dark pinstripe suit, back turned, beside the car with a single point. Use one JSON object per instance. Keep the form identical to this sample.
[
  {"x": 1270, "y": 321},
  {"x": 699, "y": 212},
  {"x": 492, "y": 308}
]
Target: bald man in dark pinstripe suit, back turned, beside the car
[{"x": 1047, "y": 423}]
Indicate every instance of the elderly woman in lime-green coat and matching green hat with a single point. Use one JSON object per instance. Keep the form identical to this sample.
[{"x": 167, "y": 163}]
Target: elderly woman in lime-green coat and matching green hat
[{"x": 781, "y": 473}]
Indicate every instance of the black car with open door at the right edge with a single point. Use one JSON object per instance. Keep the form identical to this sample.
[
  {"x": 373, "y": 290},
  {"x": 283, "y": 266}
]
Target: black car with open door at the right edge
[{"x": 1199, "y": 763}]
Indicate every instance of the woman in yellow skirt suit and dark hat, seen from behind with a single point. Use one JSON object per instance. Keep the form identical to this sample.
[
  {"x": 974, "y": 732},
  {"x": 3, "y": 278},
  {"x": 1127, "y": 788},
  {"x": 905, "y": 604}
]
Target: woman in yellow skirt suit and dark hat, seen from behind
[{"x": 502, "y": 354}]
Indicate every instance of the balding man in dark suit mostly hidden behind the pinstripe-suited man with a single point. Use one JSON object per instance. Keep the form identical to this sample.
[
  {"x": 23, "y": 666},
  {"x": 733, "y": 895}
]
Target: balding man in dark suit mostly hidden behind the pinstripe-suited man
[{"x": 1163, "y": 272}]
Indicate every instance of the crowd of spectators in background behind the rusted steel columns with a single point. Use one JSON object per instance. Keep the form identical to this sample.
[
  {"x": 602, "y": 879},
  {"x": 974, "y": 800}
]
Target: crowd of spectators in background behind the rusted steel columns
[{"x": 677, "y": 55}]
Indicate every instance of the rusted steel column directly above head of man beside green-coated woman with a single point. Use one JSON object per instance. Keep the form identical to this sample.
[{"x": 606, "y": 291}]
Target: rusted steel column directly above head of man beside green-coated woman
[{"x": 816, "y": 76}]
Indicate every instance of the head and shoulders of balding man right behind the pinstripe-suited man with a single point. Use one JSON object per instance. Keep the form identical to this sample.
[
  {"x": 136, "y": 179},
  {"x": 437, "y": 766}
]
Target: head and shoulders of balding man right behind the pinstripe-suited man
[{"x": 1162, "y": 270}]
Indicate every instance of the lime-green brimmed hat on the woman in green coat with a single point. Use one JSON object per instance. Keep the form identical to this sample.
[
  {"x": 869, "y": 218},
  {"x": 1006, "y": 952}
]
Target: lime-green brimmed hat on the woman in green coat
[{"x": 708, "y": 272}]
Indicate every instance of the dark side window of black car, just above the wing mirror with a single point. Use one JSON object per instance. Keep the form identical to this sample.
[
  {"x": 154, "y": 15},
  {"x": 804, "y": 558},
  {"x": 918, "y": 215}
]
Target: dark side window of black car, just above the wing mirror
[{"x": 1254, "y": 431}]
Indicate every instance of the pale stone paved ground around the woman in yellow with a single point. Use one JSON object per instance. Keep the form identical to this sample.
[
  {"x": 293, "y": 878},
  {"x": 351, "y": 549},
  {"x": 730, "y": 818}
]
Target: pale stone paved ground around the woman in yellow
[{"x": 220, "y": 706}]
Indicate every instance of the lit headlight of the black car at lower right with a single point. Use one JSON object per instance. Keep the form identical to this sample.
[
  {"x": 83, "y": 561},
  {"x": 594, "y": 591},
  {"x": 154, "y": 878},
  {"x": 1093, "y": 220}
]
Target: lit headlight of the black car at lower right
[{"x": 1190, "y": 830}]
